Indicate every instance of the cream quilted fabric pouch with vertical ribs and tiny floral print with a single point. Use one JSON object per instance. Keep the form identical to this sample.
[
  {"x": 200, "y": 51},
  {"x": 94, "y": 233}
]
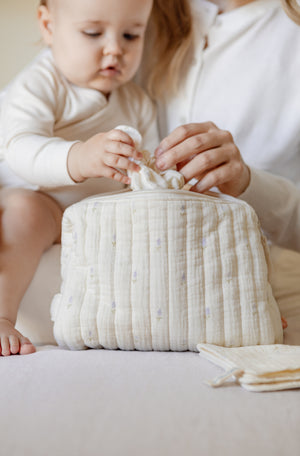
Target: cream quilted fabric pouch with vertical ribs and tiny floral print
[{"x": 163, "y": 270}]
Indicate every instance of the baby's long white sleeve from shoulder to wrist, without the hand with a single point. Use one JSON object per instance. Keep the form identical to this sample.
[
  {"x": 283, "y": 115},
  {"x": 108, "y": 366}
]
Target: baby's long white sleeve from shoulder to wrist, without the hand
[{"x": 28, "y": 117}]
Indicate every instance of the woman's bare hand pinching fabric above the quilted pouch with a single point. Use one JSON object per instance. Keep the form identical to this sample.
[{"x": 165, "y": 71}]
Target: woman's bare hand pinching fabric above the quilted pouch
[{"x": 204, "y": 152}]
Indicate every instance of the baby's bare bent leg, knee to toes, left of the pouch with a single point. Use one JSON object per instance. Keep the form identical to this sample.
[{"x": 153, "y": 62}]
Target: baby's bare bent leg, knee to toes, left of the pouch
[{"x": 30, "y": 224}]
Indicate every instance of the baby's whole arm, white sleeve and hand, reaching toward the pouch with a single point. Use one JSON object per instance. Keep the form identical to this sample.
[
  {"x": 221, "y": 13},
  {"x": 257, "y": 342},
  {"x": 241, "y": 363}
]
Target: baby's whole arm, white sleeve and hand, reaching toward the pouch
[{"x": 30, "y": 114}]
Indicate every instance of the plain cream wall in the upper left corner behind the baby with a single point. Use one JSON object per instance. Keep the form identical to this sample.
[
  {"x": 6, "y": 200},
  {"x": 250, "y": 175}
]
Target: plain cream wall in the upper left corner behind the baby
[{"x": 19, "y": 36}]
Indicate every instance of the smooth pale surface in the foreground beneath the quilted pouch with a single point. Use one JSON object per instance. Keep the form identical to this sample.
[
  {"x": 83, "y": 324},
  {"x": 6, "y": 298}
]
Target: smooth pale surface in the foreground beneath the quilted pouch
[{"x": 114, "y": 403}]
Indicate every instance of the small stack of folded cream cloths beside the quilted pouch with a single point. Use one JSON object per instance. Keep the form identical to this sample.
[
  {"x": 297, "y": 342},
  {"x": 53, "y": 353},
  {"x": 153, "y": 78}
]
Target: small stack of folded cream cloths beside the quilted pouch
[{"x": 256, "y": 368}]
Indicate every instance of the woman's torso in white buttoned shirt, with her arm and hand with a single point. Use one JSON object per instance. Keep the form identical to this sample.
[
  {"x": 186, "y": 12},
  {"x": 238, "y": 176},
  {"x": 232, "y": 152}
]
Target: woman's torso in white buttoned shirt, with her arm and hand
[{"x": 243, "y": 76}]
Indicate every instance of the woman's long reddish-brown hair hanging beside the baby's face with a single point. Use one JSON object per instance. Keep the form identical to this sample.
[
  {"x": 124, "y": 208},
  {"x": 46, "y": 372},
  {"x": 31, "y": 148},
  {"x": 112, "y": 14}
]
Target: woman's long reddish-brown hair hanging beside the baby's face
[{"x": 167, "y": 44}]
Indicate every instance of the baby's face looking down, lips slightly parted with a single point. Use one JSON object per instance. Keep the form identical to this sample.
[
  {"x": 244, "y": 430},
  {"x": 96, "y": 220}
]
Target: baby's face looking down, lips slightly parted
[{"x": 97, "y": 44}]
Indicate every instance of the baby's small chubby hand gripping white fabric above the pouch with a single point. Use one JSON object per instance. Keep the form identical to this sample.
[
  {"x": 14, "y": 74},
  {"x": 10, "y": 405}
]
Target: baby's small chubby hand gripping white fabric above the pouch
[{"x": 103, "y": 155}]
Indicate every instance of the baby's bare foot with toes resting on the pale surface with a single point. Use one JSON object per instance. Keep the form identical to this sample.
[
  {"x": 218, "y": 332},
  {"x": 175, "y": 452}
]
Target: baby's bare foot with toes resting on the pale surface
[{"x": 12, "y": 342}]
